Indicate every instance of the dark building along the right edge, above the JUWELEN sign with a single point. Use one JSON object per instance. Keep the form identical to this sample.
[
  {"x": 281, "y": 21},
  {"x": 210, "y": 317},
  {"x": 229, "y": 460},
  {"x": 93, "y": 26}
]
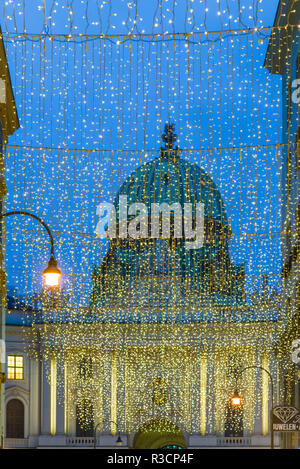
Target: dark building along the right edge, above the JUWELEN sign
[{"x": 283, "y": 58}]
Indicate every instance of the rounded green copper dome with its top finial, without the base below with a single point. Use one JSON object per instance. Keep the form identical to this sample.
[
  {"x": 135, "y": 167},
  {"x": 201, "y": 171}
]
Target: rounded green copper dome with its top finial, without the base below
[{"x": 170, "y": 179}]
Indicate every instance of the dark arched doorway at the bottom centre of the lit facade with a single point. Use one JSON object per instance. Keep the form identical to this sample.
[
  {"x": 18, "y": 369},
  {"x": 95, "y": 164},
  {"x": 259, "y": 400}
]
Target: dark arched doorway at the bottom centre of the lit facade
[{"x": 159, "y": 433}]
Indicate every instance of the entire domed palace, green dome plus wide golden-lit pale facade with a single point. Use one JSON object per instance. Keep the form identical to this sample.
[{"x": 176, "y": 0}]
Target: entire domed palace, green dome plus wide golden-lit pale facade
[{"x": 162, "y": 344}]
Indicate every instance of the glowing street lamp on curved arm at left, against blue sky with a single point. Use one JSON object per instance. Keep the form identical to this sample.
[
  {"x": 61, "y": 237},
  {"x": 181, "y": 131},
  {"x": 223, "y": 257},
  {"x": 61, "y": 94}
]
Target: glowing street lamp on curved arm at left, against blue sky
[{"x": 51, "y": 274}]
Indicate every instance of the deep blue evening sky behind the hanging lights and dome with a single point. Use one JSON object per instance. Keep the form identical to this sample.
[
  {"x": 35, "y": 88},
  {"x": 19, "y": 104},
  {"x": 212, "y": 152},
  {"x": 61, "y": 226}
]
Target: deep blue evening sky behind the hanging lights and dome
[{"x": 93, "y": 108}]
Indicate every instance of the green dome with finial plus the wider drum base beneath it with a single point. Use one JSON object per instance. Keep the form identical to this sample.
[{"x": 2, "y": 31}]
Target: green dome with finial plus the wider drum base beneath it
[{"x": 206, "y": 268}]
